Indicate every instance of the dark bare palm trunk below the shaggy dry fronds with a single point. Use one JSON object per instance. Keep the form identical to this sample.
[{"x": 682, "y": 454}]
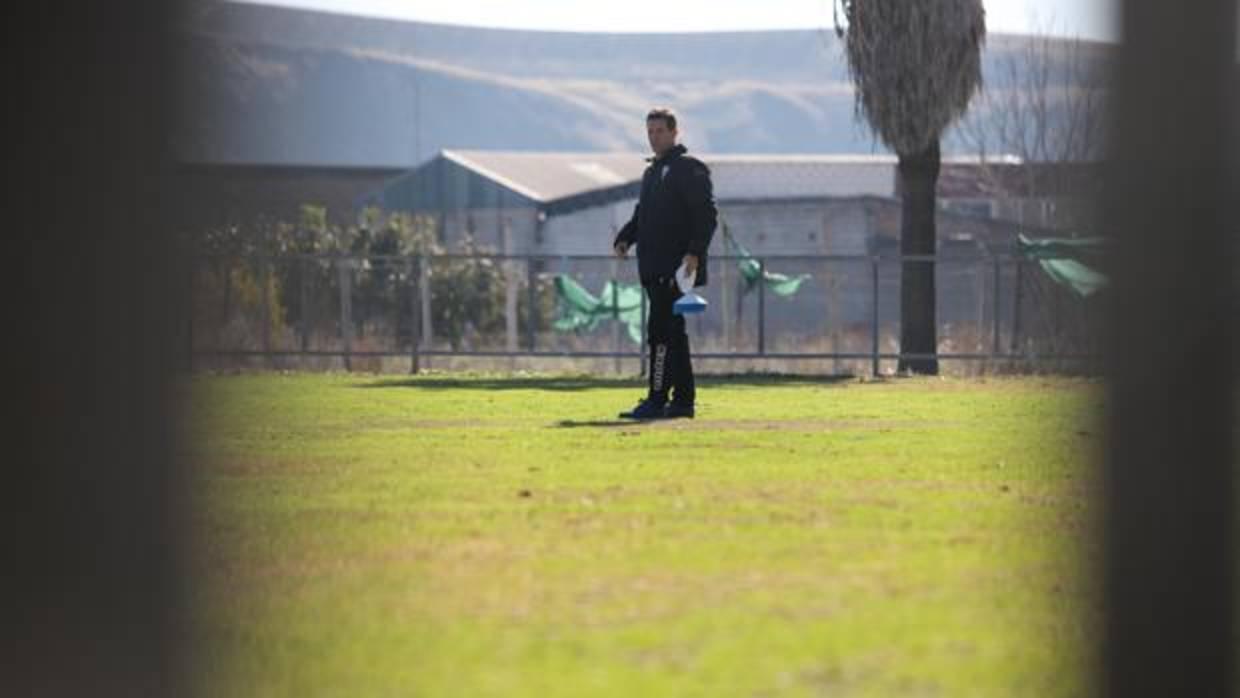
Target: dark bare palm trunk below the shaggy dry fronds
[{"x": 919, "y": 173}]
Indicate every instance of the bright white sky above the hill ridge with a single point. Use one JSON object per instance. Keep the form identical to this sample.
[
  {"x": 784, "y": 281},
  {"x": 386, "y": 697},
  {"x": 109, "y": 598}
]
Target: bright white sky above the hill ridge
[{"x": 1087, "y": 19}]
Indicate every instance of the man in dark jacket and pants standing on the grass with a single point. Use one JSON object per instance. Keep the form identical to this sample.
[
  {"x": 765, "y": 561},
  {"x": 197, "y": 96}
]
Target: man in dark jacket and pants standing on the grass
[{"x": 671, "y": 225}]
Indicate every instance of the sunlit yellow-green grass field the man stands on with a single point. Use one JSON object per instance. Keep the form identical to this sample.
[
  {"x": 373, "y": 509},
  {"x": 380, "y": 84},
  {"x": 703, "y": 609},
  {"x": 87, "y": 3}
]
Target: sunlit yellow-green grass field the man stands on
[{"x": 366, "y": 536}]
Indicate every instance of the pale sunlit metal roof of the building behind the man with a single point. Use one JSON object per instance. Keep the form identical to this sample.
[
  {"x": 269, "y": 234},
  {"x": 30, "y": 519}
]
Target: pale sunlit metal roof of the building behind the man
[{"x": 551, "y": 177}]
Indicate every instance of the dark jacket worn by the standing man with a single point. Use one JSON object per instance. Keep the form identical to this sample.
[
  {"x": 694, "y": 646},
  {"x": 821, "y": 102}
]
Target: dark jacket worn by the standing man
[{"x": 675, "y": 216}]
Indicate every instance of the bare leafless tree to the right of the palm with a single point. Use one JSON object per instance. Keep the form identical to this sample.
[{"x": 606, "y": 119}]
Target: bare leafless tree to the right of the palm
[{"x": 1046, "y": 104}]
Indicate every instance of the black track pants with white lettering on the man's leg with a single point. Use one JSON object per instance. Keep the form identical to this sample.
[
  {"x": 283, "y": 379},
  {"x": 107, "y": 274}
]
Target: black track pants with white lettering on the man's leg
[{"x": 670, "y": 365}]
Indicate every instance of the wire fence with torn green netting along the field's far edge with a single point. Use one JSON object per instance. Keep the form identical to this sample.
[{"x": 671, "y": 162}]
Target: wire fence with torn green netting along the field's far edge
[{"x": 790, "y": 314}]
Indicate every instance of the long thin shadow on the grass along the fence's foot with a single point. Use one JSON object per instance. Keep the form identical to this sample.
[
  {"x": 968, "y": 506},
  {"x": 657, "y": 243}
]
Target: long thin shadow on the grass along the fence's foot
[{"x": 570, "y": 384}]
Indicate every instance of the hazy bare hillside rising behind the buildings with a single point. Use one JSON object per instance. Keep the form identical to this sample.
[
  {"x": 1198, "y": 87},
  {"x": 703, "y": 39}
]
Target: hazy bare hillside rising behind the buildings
[{"x": 280, "y": 86}]
